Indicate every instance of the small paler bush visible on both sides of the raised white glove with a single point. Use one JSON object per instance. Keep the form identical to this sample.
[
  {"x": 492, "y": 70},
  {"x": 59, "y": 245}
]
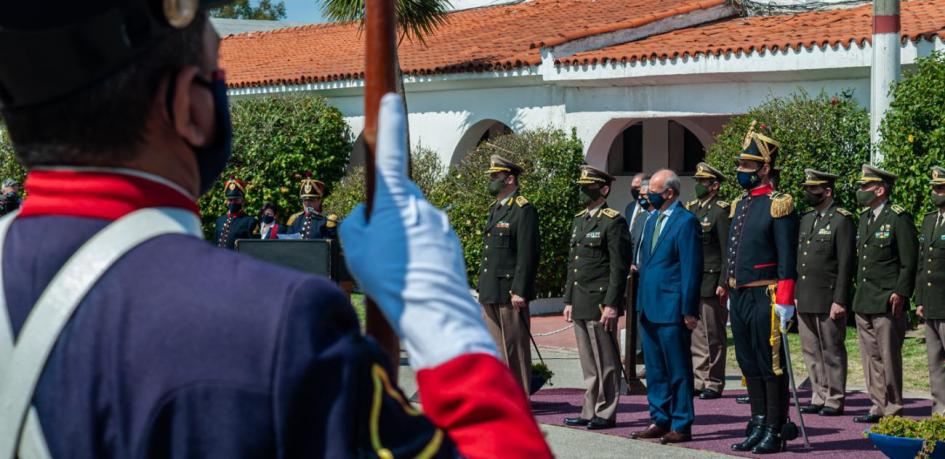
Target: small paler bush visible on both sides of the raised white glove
[{"x": 425, "y": 169}]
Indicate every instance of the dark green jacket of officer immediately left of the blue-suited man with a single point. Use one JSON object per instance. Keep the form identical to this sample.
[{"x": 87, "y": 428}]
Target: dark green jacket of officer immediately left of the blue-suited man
[{"x": 598, "y": 263}]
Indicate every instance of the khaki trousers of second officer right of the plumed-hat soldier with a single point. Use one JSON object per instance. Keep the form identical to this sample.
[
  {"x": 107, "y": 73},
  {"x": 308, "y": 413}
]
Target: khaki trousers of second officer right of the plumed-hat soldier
[{"x": 880, "y": 338}]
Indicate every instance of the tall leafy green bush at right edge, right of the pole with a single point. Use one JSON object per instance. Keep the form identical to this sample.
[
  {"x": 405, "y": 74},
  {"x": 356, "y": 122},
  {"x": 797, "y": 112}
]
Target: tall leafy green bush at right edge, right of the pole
[{"x": 913, "y": 132}]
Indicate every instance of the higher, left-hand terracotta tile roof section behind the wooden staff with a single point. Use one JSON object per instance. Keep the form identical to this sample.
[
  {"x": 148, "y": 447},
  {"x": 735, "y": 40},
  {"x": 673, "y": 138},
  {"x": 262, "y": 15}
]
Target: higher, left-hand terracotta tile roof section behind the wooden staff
[{"x": 482, "y": 39}]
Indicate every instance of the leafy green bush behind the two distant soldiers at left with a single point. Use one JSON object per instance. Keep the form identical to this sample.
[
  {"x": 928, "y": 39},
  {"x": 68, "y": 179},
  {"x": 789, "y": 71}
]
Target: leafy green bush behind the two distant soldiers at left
[{"x": 275, "y": 141}]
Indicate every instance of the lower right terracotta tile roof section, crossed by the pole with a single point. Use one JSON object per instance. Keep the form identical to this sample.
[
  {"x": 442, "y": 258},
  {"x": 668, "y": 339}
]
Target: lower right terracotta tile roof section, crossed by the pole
[{"x": 920, "y": 19}]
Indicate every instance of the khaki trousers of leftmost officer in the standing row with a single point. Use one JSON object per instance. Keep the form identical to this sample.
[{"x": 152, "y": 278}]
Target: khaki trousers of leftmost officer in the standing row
[{"x": 509, "y": 328}]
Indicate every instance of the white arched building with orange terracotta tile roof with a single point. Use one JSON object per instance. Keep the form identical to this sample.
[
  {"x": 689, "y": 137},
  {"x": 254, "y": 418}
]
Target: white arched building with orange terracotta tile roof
[{"x": 645, "y": 83}]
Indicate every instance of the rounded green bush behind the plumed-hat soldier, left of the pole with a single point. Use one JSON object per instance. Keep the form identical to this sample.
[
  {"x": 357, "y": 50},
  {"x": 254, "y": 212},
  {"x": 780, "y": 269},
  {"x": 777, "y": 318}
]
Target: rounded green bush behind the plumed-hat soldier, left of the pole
[{"x": 826, "y": 133}]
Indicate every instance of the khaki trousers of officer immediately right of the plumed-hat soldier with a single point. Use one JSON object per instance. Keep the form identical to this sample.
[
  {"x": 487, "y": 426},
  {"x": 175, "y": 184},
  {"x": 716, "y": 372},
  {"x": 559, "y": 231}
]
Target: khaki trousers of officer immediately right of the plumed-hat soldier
[{"x": 822, "y": 342}]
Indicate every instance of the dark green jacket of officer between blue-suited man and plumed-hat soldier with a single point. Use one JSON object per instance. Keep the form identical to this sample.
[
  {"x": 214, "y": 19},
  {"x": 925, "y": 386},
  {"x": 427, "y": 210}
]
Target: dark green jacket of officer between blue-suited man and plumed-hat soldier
[{"x": 713, "y": 217}]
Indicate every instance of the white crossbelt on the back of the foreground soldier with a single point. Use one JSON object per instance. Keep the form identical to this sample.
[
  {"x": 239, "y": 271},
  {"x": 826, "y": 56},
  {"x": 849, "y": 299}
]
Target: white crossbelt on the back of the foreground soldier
[{"x": 22, "y": 364}]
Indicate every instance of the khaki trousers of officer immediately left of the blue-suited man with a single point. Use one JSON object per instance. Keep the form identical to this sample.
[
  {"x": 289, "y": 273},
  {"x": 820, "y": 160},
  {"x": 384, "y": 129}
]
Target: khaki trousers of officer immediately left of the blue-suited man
[{"x": 600, "y": 364}]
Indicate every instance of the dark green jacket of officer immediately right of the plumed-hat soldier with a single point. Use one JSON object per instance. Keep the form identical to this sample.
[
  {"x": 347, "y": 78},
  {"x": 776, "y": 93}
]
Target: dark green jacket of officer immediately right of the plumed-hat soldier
[{"x": 826, "y": 260}]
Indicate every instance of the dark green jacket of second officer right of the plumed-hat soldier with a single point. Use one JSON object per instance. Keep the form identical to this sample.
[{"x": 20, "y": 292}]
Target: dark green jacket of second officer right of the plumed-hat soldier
[{"x": 886, "y": 252}]
